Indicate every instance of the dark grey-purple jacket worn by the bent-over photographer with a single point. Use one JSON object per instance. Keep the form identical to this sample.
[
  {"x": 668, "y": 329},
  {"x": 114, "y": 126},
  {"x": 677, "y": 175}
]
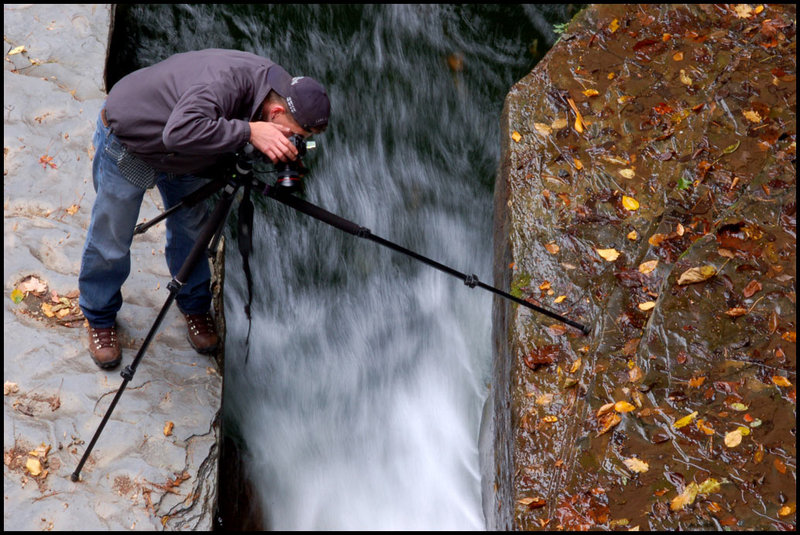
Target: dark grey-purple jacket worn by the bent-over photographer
[{"x": 182, "y": 114}]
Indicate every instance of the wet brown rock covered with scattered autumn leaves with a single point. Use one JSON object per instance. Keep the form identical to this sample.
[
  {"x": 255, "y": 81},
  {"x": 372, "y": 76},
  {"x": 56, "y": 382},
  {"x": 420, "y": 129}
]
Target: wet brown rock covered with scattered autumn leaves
[{"x": 647, "y": 189}]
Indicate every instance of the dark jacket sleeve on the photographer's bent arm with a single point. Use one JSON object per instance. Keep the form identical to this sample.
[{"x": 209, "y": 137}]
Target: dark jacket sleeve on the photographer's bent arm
[{"x": 204, "y": 120}]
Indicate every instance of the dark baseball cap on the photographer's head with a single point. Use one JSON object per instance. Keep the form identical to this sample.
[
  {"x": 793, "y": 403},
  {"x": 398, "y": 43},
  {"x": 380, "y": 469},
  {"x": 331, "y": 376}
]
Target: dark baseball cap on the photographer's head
[{"x": 307, "y": 100}]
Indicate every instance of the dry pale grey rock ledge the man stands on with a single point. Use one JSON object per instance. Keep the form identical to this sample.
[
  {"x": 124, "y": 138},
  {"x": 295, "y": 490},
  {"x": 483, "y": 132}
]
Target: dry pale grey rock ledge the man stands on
[{"x": 155, "y": 465}]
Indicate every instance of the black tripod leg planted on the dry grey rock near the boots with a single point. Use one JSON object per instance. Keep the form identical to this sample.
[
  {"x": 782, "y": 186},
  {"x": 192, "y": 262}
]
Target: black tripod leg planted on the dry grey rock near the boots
[{"x": 215, "y": 222}]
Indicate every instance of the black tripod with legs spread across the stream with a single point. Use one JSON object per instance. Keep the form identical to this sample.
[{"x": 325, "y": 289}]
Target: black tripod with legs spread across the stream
[{"x": 240, "y": 175}]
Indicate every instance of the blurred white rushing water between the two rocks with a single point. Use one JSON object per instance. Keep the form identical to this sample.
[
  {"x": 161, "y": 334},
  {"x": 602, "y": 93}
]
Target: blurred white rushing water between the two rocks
[{"x": 361, "y": 399}]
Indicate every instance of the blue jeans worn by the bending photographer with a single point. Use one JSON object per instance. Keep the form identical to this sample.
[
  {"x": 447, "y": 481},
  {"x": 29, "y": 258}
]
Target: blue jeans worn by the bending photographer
[{"x": 106, "y": 260}]
